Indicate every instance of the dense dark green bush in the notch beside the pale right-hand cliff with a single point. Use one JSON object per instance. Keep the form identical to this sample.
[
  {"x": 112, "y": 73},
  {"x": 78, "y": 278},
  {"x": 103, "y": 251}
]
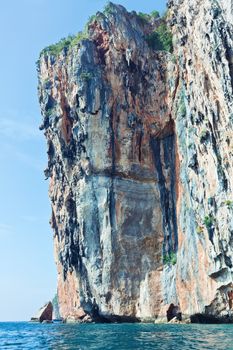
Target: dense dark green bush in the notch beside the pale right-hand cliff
[{"x": 160, "y": 39}]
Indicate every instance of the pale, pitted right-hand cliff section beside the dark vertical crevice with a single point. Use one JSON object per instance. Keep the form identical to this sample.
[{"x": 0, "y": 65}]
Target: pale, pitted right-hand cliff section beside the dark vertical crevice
[{"x": 203, "y": 47}]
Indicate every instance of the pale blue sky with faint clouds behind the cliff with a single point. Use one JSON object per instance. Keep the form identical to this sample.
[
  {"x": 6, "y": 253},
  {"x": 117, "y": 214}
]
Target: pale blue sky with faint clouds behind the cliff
[{"x": 27, "y": 269}]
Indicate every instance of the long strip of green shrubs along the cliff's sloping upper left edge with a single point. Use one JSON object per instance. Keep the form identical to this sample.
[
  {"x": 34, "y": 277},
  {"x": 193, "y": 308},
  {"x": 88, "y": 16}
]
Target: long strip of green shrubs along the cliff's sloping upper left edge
[{"x": 65, "y": 43}]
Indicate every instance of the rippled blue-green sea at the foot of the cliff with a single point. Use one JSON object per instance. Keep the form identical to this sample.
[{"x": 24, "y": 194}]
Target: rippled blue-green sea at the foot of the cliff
[{"x": 24, "y": 335}]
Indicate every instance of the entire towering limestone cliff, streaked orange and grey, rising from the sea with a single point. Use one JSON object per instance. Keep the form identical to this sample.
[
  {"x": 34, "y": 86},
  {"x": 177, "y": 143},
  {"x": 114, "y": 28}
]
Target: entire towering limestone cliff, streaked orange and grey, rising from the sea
[{"x": 140, "y": 164}]
